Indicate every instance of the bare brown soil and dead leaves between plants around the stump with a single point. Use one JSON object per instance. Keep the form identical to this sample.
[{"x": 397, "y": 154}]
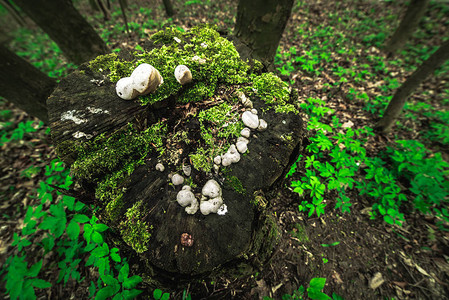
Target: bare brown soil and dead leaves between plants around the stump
[{"x": 349, "y": 250}]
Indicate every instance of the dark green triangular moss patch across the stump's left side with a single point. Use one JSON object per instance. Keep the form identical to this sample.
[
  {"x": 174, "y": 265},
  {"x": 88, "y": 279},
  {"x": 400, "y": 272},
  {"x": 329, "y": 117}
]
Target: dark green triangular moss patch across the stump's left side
[{"x": 109, "y": 162}]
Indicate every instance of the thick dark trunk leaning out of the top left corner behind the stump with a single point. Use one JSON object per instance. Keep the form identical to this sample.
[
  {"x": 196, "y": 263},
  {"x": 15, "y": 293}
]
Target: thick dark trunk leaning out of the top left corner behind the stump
[{"x": 66, "y": 26}]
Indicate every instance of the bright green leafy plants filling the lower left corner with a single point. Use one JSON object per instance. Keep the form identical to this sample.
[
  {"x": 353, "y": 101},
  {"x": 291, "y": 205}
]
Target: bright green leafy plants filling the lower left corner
[{"x": 62, "y": 225}]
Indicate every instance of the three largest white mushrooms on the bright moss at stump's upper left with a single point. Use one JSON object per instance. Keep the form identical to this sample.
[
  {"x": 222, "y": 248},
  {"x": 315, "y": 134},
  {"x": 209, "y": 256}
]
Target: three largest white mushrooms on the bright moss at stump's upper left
[{"x": 146, "y": 79}]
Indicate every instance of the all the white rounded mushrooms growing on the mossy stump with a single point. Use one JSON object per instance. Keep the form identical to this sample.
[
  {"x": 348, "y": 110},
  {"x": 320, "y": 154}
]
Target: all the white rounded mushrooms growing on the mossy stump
[{"x": 146, "y": 79}]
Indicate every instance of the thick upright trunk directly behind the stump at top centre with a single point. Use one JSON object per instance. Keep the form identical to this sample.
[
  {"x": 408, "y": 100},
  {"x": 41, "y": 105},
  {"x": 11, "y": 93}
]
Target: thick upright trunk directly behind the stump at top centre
[{"x": 260, "y": 24}]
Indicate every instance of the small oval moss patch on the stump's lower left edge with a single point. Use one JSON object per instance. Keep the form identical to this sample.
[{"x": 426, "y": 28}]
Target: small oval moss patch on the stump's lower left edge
[{"x": 134, "y": 230}]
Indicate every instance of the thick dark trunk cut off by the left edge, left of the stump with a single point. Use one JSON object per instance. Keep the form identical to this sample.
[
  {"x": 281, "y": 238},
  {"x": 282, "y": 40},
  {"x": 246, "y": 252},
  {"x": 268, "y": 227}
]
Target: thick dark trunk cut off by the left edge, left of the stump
[{"x": 24, "y": 85}]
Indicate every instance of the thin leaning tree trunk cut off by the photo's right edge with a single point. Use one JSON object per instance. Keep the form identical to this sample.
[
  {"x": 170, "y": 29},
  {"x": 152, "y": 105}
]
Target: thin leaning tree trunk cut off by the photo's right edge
[{"x": 400, "y": 97}]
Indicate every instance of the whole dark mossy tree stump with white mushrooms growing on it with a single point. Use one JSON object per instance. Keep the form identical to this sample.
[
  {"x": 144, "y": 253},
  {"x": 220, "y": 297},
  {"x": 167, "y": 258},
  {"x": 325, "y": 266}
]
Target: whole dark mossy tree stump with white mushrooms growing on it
[{"x": 91, "y": 128}]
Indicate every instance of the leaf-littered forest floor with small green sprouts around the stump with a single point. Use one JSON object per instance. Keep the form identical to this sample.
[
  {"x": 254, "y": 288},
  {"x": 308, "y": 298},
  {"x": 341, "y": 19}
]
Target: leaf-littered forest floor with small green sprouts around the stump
[{"x": 361, "y": 258}]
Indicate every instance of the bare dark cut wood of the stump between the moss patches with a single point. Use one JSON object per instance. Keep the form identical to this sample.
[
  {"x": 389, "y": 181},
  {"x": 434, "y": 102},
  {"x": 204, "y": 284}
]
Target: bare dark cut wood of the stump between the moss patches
[{"x": 81, "y": 108}]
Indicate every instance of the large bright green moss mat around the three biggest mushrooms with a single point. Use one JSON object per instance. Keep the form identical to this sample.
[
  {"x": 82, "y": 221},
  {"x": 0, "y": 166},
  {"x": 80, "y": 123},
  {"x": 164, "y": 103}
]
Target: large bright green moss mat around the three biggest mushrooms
[{"x": 223, "y": 64}]
